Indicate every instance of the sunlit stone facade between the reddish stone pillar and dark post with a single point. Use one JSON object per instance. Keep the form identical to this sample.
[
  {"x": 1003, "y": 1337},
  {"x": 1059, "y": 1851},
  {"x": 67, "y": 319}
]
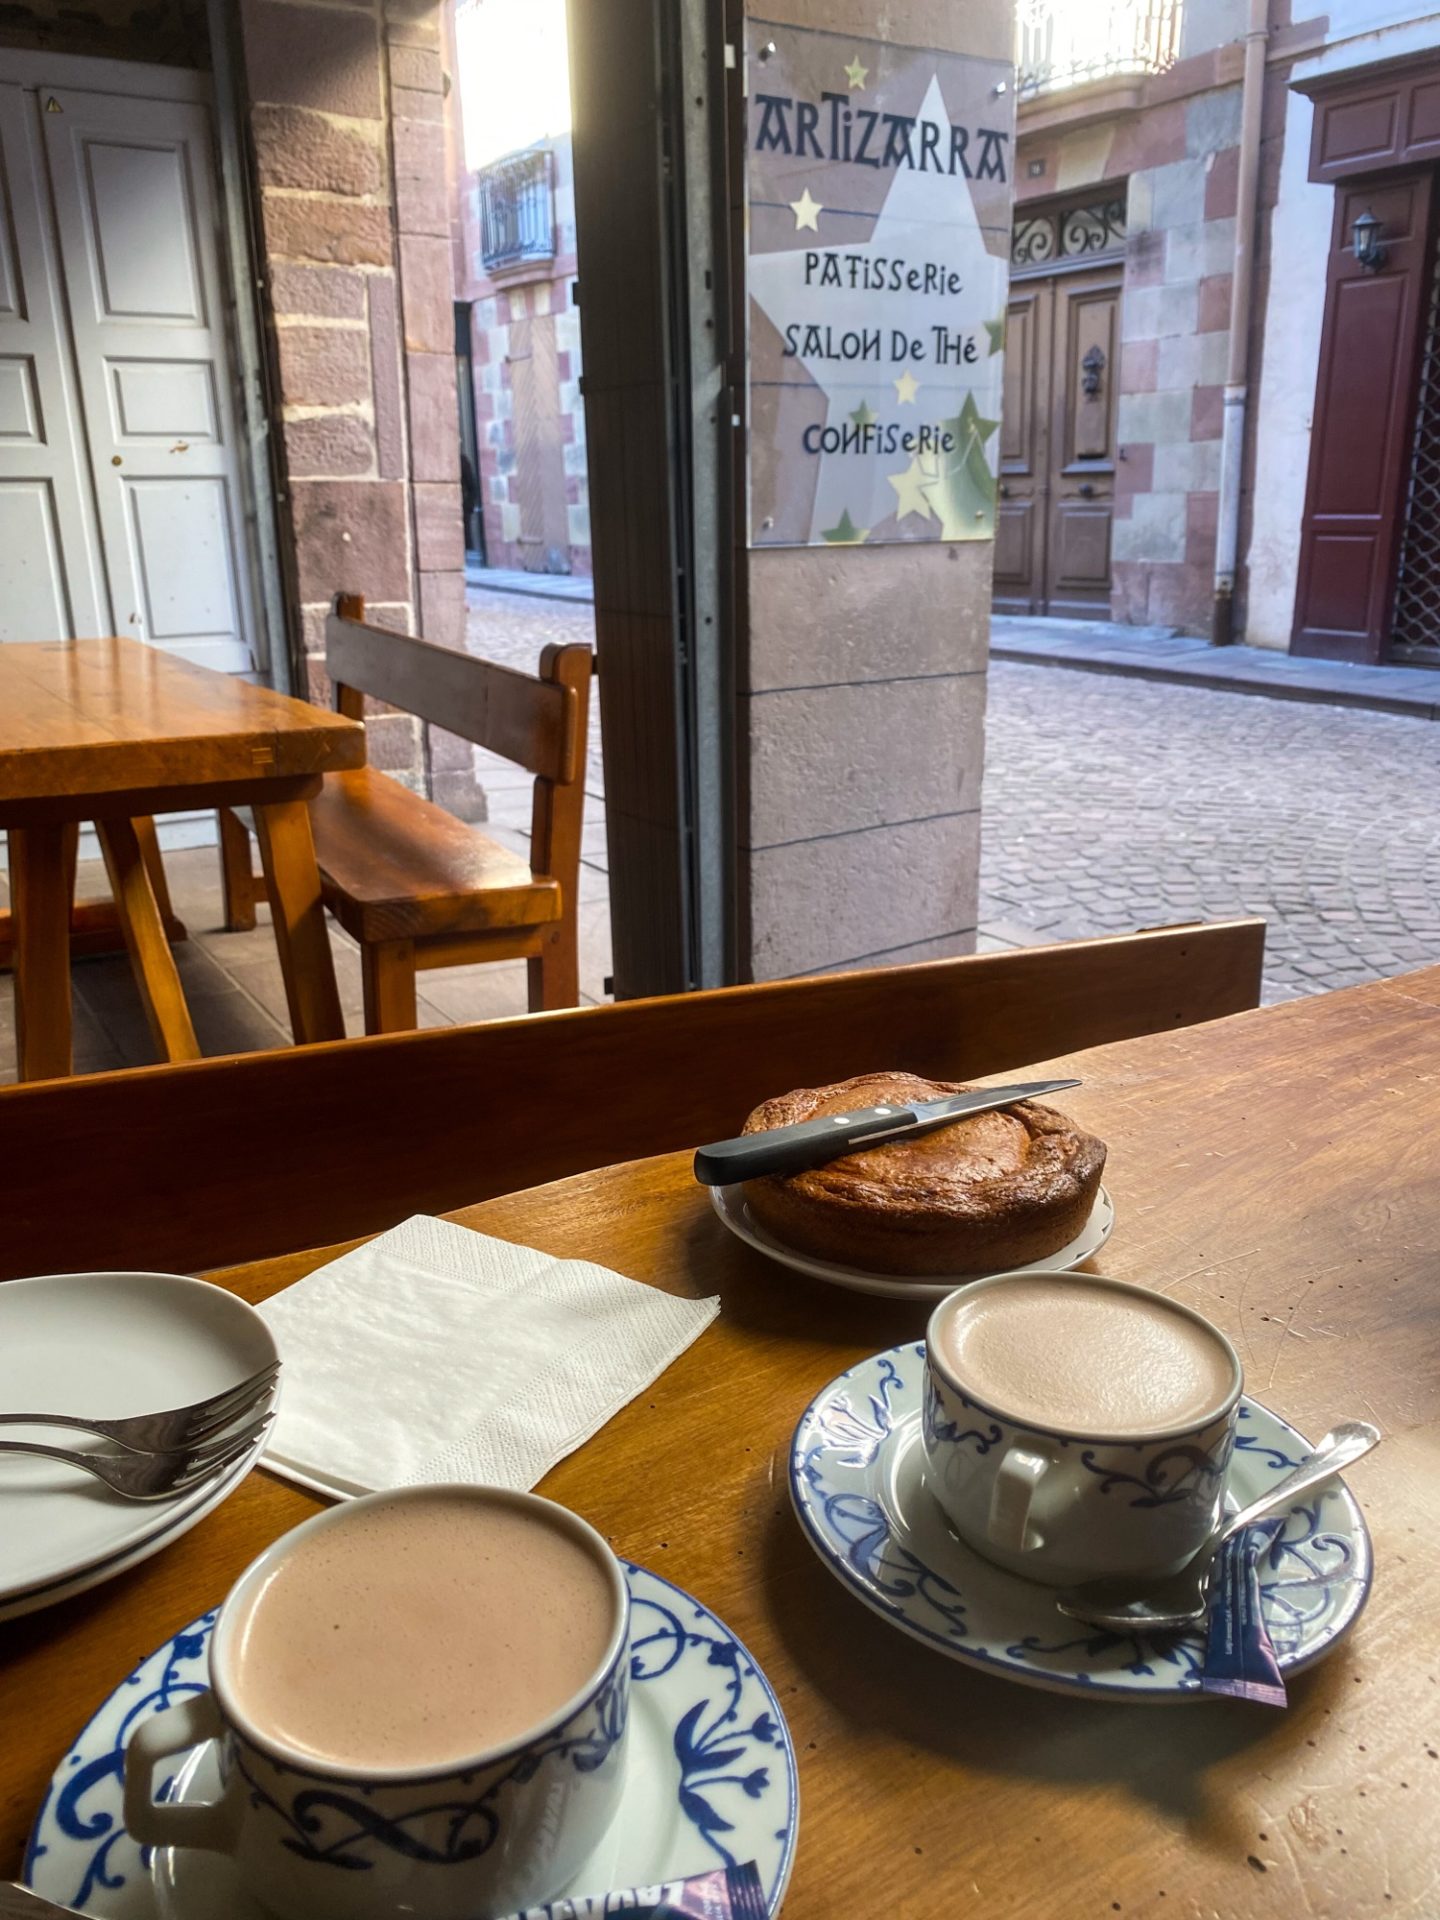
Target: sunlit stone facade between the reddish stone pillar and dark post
[{"x": 535, "y": 293}]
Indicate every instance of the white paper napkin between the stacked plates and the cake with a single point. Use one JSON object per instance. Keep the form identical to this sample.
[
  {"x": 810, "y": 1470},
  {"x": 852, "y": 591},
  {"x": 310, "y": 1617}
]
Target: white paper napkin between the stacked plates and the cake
[{"x": 443, "y": 1355}]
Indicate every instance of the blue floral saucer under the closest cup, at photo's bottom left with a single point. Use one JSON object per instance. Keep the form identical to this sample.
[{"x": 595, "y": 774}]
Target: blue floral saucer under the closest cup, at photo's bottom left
[{"x": 709, "y": 1777}]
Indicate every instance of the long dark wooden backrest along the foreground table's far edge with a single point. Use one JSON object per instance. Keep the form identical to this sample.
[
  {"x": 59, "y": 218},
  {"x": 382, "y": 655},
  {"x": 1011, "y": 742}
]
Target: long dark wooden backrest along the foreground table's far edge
[{"x": 226, "y": 1161}]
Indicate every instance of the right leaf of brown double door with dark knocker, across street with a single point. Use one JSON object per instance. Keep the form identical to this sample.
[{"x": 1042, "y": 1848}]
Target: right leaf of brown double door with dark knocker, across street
[{"x": 1084, "y": 439}]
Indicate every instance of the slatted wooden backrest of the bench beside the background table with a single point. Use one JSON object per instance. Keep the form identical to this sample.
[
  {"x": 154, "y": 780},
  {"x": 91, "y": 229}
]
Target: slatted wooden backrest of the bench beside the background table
[{"x": 537, "y": 723}]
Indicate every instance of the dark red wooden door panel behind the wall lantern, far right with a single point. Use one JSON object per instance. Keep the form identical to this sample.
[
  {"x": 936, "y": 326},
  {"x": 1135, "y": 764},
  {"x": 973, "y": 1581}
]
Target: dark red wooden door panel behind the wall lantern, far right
[{"x": 1362, "y": 427}]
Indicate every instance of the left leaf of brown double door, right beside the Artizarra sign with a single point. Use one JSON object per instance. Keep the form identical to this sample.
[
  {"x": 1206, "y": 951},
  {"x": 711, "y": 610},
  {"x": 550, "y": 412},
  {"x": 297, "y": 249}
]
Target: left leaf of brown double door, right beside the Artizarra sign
[{"x": 1024, "y": 452}]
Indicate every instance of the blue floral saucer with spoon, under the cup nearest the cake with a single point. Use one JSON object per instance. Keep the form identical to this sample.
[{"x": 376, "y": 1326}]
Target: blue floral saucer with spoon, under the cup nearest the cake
[{"x": 857, "y": 1481}]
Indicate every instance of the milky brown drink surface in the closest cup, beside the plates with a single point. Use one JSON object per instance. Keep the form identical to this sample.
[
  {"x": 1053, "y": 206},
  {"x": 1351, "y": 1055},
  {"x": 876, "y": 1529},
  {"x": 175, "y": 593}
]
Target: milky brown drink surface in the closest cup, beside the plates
[{"x": 421, "y": 1633}]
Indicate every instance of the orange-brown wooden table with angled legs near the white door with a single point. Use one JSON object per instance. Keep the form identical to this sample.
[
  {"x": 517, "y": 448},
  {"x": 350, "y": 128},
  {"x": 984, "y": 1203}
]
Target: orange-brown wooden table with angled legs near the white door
[{"x": 114, "y": 732}]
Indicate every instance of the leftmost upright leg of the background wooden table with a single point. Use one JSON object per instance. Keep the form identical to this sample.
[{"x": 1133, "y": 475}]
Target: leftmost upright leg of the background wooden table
[{"x": 41, "y": 888}]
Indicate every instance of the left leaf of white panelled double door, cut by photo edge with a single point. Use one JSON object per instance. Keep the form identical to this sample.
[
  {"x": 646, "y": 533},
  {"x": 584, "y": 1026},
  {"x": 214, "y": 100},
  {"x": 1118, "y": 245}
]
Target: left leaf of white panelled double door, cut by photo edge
[{"x": 53, "y": 581}]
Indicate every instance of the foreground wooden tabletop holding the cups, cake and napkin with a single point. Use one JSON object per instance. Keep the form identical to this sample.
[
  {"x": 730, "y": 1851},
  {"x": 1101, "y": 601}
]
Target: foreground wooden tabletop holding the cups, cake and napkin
[{"x": 1276, "y": 1170}]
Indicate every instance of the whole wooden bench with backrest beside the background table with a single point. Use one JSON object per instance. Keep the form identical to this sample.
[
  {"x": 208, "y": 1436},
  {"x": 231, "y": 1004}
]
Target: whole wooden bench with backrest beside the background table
[{"x": 414, "y": 884}]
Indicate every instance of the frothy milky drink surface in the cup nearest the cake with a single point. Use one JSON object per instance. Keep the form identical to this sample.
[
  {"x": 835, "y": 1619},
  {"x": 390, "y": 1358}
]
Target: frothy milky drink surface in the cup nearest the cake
[{"x": 1076, "y": 1356}]
